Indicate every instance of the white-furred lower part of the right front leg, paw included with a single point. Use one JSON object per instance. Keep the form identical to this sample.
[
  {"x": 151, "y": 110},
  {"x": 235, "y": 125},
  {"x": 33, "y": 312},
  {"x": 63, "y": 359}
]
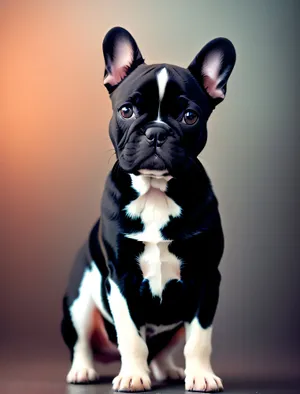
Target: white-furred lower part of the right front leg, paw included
[{"x": 197, "y": 351}]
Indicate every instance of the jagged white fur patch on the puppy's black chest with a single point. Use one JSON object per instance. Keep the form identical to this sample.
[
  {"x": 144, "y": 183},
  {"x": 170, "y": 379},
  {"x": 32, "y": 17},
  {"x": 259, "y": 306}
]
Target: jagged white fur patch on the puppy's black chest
[{"x": 155, "y": 209}]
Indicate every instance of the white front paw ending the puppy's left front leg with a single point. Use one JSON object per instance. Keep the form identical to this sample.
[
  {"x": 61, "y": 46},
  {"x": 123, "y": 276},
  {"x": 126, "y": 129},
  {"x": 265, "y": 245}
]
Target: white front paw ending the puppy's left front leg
[{"x": 138, "y": 381}]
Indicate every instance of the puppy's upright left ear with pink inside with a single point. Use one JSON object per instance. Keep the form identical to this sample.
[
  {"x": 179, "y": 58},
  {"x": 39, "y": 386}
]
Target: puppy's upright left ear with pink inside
[{"x": 121, "y": 56}]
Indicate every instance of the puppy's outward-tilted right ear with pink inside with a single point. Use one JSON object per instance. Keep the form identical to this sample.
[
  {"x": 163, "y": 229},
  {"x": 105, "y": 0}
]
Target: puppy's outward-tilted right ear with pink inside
[{"x": 213, "y": 66}]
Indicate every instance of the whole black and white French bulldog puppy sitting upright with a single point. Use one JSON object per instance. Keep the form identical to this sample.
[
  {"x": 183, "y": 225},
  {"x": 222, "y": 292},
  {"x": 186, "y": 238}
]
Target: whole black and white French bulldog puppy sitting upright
[{"x": 149, "y": 271}]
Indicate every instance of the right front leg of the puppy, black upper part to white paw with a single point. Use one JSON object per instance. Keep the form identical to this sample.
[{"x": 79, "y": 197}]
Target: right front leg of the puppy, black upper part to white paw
[{"x": 198, "y": 348}]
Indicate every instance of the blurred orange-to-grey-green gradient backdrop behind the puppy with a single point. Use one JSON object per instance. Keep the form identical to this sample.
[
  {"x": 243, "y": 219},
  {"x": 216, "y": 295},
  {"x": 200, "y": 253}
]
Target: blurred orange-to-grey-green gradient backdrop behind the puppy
[{"x": 55, "y": 154}]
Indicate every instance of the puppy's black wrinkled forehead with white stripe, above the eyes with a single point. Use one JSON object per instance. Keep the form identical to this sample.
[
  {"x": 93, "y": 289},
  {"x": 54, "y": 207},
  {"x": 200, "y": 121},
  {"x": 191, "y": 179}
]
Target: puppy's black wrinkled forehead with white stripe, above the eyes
[{"x": 159, "y": 85}]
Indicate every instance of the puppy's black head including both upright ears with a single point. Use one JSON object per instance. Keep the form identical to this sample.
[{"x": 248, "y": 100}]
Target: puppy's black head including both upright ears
[{"x": 160, "y": 111}]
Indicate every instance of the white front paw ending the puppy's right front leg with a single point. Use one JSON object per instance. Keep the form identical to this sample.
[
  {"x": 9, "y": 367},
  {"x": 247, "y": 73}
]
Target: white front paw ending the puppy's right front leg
[{"x": 203, "y": 381}]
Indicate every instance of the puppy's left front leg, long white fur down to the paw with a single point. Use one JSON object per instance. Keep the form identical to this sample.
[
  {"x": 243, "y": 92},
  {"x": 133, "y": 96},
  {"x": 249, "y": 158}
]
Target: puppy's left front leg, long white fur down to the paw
[{"x": 134, "y": 373}]
